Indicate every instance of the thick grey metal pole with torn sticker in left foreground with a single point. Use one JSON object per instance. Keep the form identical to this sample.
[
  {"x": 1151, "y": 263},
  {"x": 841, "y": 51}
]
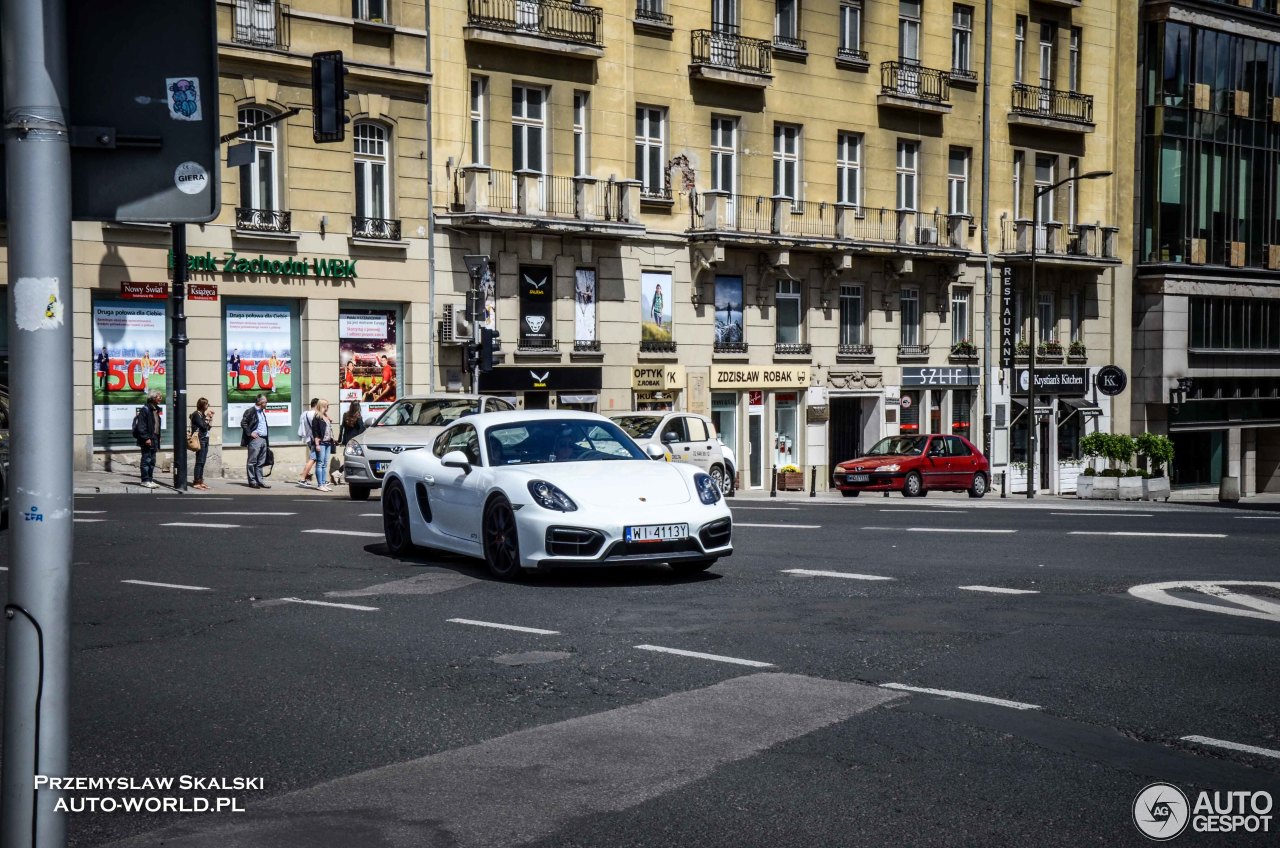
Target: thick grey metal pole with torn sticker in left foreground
[{"x": 38, "y": 616}]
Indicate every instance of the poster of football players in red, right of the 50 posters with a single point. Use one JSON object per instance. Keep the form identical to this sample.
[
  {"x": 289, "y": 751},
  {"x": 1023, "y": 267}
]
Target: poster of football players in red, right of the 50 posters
[{"x": 367, "y": 361}]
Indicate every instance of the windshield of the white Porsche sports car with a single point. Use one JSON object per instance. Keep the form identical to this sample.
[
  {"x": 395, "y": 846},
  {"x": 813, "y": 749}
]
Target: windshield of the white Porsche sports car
[{"x": 559, "y": 441}]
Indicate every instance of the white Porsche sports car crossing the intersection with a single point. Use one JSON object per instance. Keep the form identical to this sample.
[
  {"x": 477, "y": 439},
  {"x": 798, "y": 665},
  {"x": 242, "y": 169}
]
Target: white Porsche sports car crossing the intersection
[{"x": 536, "y": 490}]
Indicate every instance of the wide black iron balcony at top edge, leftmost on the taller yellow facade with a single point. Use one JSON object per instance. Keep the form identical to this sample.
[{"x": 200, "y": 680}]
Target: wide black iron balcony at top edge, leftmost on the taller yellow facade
[{"x": 542, "y": 26}]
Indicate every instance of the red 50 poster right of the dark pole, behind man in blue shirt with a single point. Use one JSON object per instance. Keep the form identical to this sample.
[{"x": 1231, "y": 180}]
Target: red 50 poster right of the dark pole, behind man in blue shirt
[{"x": 259, "y": 361}]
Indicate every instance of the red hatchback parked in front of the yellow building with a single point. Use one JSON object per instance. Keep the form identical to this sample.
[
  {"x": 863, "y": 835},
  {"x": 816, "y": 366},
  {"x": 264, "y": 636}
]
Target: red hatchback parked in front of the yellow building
[{"x": 916, "y": 466}]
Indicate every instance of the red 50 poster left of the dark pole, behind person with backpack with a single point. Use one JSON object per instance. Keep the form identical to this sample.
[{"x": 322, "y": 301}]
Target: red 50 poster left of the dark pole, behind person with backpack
[{"x": 129, "y": 362}]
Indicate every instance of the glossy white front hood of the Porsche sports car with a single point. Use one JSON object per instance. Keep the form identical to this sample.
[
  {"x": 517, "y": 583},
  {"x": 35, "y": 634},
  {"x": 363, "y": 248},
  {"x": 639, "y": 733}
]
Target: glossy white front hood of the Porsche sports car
[{"x": 614, "y": 484}]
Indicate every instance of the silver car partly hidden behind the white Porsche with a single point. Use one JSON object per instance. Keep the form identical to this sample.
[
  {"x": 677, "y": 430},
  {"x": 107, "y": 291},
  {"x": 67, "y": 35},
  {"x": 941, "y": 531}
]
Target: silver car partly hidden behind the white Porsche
[{"x": 409, "y": 425}]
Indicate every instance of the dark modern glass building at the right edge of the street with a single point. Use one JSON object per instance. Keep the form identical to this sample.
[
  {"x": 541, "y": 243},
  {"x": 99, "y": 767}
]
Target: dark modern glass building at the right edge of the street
[{"x": 1208, "y": 293}]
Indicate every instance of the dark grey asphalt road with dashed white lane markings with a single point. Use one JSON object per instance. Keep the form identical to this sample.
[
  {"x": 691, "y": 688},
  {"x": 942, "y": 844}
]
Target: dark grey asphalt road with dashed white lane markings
[{"x": 376, "y": 718}]
